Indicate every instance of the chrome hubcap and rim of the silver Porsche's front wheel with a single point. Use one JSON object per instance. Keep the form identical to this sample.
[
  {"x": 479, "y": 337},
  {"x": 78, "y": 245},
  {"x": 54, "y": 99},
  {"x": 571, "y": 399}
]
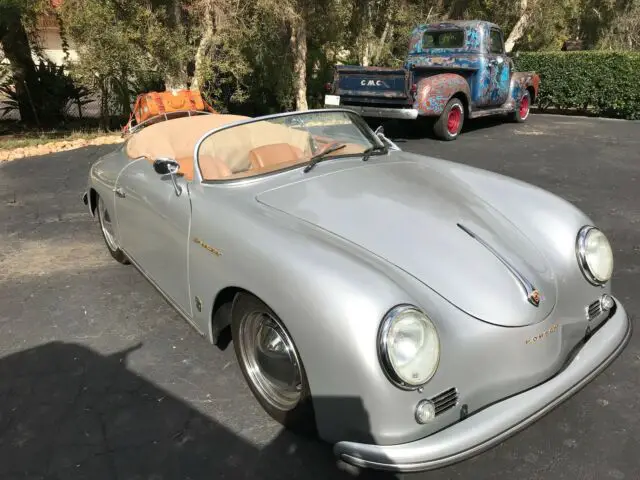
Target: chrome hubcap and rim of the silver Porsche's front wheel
[{"x": 271, "y": 360}]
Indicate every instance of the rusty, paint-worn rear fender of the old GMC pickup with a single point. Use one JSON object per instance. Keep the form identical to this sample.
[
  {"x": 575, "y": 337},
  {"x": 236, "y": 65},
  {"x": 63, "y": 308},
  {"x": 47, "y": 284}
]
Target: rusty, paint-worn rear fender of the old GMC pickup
[{"x": 434, "y": 92}]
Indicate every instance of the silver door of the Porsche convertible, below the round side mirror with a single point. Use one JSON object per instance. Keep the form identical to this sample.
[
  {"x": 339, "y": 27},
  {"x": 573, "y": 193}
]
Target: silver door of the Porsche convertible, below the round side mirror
[{"x": 154, "y": 218}]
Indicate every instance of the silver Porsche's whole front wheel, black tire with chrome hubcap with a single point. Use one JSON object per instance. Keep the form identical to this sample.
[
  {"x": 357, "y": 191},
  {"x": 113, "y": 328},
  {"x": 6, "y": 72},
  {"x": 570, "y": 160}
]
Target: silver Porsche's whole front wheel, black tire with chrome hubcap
[{"x": 291, "y": 406}]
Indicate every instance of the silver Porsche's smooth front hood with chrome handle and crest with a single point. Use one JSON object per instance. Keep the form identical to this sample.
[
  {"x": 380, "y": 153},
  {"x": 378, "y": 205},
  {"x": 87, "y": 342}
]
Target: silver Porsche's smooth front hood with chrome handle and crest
[{"x": 427, "y": 222}]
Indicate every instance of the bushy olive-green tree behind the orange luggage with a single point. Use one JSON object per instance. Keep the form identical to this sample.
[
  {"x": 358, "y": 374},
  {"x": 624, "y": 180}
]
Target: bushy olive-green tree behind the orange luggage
[{"x": 124, "y": 46}]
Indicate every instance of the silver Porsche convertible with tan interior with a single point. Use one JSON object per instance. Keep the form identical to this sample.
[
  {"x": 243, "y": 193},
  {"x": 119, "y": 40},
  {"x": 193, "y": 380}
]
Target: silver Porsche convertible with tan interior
[{"x": 453, "y": 305}]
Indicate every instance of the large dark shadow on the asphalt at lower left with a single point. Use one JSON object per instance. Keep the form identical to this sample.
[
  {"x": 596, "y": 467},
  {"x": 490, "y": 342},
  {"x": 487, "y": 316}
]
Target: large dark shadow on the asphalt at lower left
[{"x": 68, "y": 412}]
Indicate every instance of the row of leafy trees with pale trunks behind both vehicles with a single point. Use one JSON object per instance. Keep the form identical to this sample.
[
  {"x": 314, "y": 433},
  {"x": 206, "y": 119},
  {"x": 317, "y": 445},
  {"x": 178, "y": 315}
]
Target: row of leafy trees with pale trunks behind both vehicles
[{"x": 271, "y": 55}]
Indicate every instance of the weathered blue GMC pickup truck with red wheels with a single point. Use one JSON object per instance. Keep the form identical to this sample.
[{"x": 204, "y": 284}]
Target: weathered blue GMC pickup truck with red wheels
[{"x": 453, "y": 71}]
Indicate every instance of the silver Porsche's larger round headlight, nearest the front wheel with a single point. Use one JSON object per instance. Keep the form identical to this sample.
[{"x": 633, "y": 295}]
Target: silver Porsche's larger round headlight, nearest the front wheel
[{"x": 409, "y": 347}]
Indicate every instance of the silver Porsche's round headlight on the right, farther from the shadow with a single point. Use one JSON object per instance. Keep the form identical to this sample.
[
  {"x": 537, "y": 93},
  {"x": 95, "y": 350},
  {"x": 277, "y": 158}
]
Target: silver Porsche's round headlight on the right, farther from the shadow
[{"x": 595, "y": 256}]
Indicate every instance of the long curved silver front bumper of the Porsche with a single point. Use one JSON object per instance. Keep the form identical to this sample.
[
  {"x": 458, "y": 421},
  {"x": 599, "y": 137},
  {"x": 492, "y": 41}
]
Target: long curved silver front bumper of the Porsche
[{"x": 494, "y": 424}]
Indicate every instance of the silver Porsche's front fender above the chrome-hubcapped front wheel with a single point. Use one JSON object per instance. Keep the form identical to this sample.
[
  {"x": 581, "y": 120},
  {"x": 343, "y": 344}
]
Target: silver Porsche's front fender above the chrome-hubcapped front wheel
[{"x": 331, "y": 295}]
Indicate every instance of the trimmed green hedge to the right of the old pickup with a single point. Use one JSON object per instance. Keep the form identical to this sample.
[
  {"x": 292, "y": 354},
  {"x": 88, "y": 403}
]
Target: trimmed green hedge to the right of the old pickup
[{"x": 597, "y": 82}]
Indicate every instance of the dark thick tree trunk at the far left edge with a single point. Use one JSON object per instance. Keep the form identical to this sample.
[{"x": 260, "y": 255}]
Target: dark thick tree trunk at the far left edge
[{"x": 17, "y": 50}]
